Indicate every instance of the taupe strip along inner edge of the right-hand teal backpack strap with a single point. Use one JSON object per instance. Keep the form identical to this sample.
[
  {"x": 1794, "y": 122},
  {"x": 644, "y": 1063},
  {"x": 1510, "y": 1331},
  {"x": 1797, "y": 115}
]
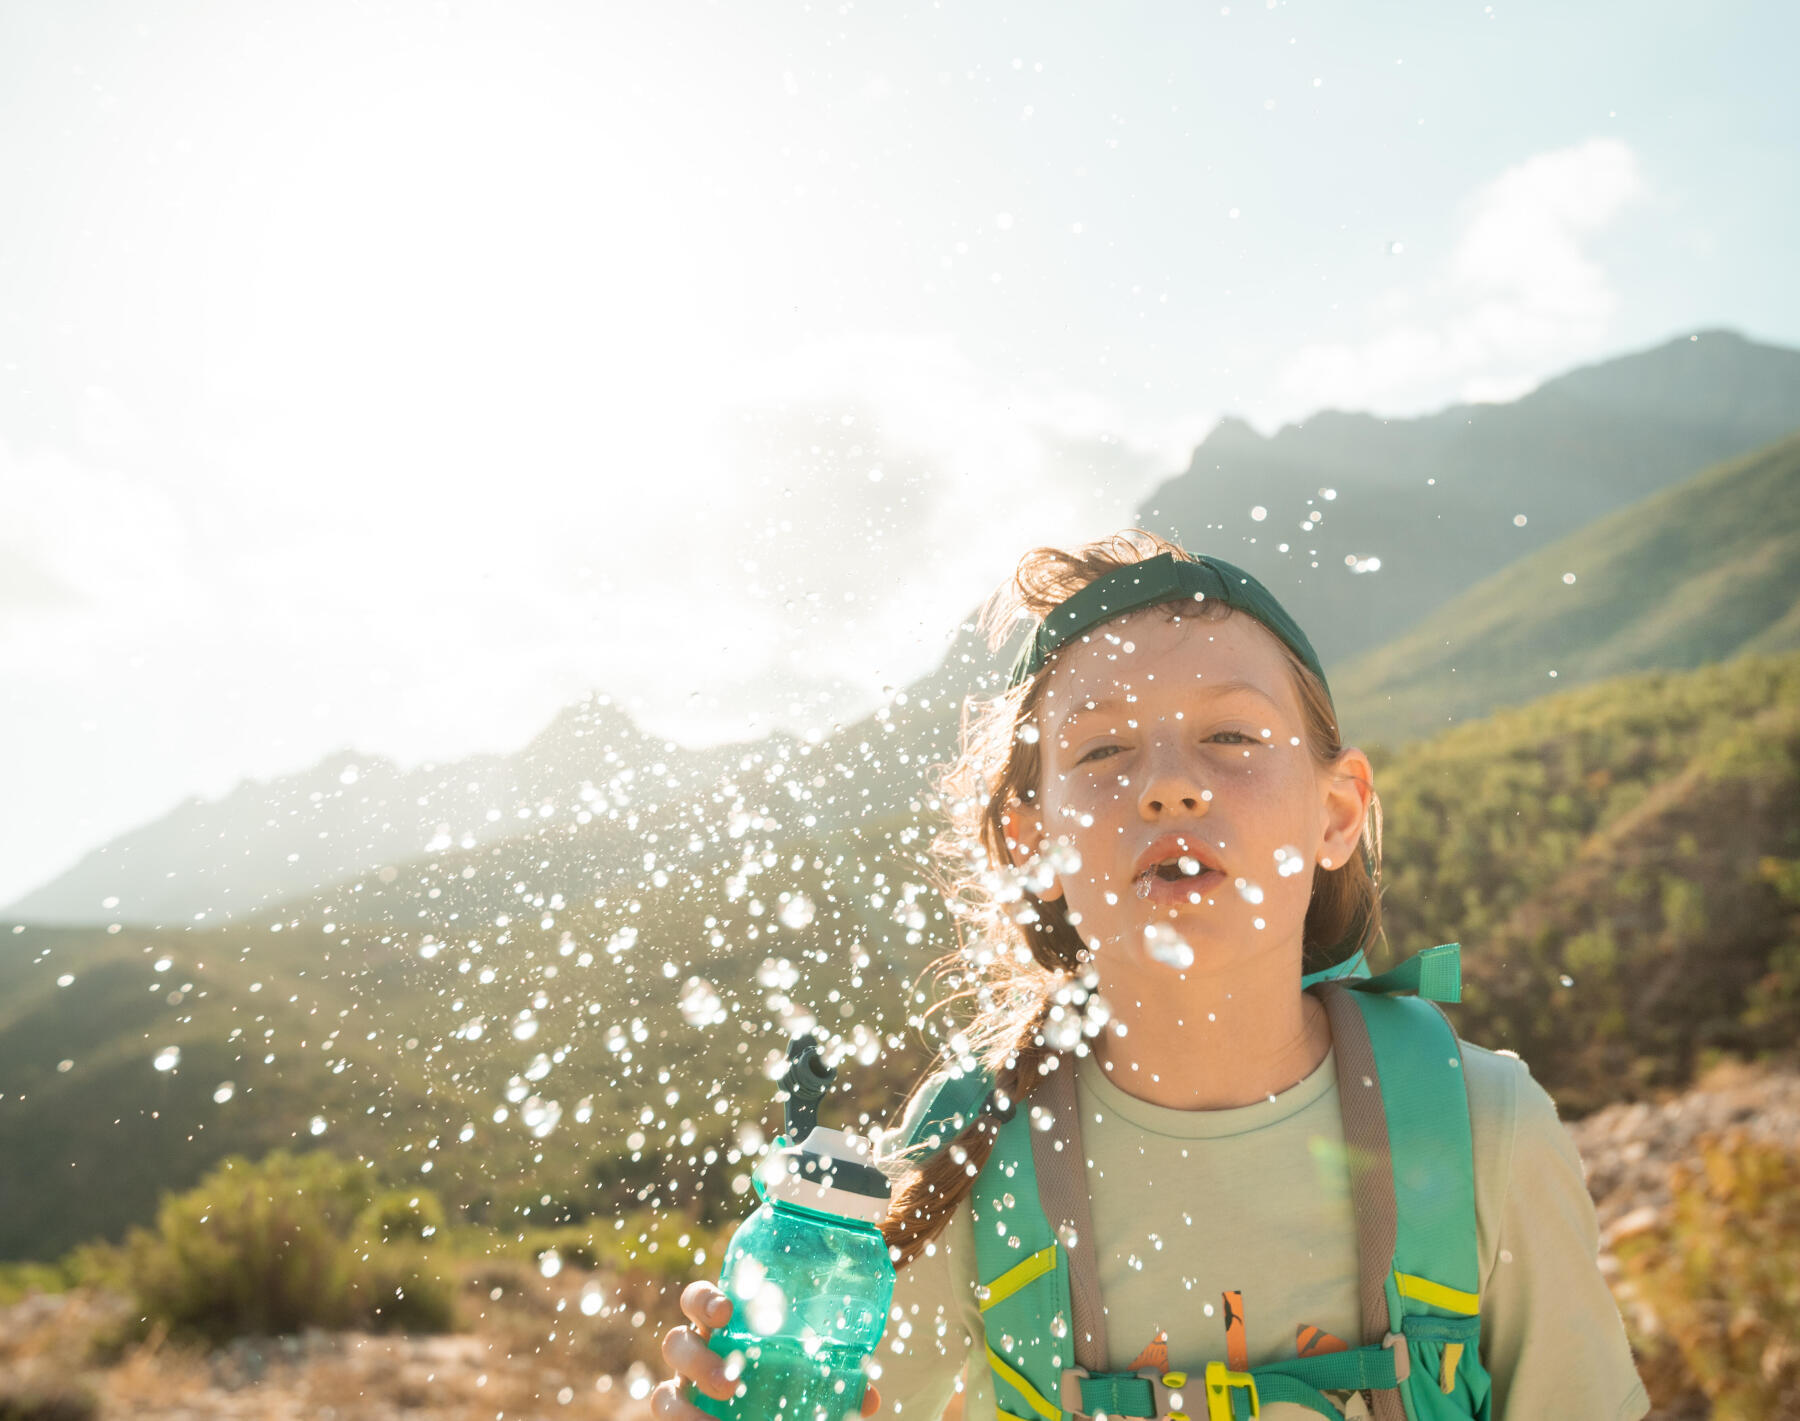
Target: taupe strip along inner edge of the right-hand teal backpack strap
[{"x": 1371, "y": 1173}]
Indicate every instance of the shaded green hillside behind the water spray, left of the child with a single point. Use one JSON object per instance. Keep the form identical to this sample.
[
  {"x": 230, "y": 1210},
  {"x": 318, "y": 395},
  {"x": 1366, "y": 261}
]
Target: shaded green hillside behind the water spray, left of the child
[{"x": 408, "y": 1042}]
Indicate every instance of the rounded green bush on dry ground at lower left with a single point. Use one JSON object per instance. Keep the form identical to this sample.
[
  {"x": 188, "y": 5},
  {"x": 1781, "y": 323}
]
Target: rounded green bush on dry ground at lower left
[{"x": 280, "y": 1247}]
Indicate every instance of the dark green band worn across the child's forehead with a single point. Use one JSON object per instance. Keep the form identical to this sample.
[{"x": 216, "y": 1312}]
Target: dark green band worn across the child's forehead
[{"x": 1162, "y": 579}]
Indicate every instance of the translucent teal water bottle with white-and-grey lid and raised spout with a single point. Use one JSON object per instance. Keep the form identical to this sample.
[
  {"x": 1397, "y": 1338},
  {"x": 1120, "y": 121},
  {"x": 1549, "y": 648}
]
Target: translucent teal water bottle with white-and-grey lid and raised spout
[{"x": 809, "y": 1272}]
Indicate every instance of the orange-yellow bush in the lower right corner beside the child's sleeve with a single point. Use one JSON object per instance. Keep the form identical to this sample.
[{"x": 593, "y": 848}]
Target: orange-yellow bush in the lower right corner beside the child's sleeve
[{"x": 1722, "y": 1280}]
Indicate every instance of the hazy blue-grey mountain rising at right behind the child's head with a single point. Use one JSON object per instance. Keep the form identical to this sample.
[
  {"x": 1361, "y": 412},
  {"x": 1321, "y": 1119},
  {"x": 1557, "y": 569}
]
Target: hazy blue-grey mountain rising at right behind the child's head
[{"x": 1437, "y": 500}]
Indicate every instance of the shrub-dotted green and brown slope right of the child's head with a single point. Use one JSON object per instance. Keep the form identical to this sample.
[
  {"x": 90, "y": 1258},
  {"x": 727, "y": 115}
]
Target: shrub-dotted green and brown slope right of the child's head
[{"x": 1623, "y": 867}]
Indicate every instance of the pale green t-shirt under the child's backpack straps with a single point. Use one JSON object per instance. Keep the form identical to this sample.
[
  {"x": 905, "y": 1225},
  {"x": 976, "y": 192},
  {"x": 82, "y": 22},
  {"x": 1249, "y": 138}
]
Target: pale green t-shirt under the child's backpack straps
[{"x": 1189, "y": 1206}]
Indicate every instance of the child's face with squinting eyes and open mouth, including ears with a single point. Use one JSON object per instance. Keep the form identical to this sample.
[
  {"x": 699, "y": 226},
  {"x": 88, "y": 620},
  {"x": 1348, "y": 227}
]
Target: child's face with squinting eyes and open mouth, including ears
[{"x": 1169, "y": 750}]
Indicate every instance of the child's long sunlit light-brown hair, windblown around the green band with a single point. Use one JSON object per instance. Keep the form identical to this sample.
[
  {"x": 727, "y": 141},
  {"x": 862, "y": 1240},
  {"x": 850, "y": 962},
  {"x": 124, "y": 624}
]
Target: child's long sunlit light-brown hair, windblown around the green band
[{"x": 1018, "y": 954}]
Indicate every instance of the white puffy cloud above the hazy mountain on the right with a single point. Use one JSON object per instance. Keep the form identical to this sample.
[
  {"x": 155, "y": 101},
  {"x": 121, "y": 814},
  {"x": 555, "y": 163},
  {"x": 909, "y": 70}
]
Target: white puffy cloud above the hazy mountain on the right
[{"x": 1518, "y": 298}]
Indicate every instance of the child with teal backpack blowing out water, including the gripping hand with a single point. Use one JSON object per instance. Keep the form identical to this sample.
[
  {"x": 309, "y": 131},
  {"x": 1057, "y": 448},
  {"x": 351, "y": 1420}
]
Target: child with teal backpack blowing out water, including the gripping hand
[{"x": 1191, "y": 1159}]
